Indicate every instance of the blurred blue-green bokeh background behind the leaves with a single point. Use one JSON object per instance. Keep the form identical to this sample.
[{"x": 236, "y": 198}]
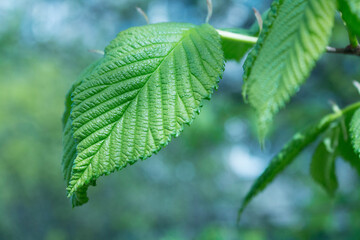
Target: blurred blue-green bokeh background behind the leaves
[{"x": 192, "y": 188}]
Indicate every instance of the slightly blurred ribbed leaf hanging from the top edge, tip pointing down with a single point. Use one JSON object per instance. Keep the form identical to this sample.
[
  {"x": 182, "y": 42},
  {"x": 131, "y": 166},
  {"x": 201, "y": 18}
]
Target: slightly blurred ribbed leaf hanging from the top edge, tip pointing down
[{"x": 295, "y": 34}]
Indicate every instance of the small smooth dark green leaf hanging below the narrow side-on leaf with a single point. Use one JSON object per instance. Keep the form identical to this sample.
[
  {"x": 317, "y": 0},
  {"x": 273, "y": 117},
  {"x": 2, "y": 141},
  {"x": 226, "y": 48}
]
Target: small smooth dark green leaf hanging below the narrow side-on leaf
[{"x": 322, "y": 167}]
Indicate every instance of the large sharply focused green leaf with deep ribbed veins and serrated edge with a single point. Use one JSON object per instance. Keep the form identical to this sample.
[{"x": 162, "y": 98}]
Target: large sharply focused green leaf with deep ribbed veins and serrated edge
[{"x": 150, "y": 83}]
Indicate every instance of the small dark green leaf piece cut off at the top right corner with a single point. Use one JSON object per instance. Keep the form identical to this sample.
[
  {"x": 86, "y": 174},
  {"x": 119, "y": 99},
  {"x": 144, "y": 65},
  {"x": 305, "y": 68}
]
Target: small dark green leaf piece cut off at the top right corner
[{"x": 350, "y": 10}]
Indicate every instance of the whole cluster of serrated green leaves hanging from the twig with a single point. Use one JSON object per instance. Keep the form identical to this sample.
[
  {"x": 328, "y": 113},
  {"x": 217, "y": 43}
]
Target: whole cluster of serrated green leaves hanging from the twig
[{"x": 152, "y": 80}]
